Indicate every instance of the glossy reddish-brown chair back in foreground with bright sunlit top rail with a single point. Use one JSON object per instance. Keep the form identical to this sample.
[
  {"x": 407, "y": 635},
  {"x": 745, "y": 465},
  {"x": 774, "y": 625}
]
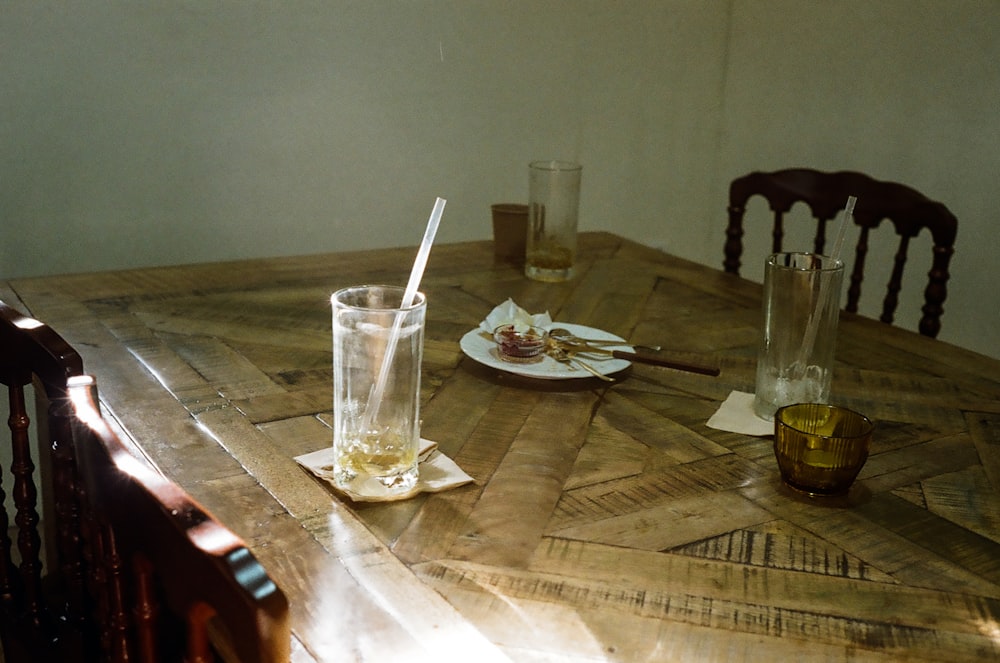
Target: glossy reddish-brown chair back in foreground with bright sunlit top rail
[{"x": 168, "y": 581}]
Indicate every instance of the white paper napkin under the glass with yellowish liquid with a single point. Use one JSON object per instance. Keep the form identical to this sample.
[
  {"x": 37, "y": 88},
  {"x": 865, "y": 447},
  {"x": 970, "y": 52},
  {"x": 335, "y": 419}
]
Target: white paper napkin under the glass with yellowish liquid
[{"x": 437, "y": 472}]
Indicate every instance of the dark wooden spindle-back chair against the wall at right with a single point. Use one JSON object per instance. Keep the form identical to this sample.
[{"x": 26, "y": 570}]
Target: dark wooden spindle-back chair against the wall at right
[{"x": 826, "y": 194}]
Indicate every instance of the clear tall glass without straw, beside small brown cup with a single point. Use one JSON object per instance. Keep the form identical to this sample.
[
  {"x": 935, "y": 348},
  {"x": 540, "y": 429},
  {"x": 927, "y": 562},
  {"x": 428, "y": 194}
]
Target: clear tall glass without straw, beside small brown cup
[{"x": 554, "y": 204}]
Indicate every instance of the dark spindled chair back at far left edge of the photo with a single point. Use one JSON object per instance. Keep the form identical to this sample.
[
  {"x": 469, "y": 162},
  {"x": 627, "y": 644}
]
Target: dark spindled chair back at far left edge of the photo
[{"x": 34, "y": 358}]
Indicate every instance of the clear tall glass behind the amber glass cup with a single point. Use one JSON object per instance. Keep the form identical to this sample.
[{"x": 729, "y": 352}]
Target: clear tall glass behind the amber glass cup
[{"x": 801, "y": 307}]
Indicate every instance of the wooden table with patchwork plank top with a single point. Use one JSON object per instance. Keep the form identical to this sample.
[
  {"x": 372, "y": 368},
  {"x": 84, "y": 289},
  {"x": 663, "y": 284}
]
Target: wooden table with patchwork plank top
[{"x": 607, "y": 522}]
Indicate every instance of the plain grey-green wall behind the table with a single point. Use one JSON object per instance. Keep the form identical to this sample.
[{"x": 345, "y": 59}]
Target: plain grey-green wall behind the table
[{"x": 143, "y": 133}]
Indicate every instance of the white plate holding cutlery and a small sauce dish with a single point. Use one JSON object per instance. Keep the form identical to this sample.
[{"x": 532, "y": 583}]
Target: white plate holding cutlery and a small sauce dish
[{"x": 484, "y": 350}]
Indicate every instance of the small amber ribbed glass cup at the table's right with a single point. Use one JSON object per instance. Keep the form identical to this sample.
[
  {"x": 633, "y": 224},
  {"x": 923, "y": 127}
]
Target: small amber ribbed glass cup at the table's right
[{"x": 821, "y": 448}]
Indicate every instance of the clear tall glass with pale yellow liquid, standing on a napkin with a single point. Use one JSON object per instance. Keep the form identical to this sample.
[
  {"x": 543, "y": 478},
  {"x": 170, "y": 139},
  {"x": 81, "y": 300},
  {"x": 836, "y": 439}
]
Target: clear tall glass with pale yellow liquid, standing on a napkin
[{"x": 375, "y": 445}]
